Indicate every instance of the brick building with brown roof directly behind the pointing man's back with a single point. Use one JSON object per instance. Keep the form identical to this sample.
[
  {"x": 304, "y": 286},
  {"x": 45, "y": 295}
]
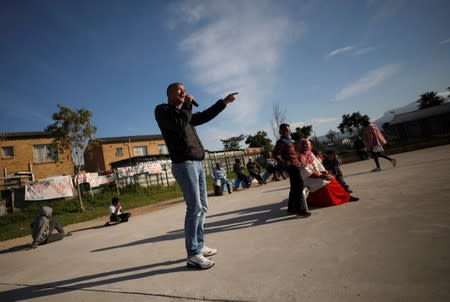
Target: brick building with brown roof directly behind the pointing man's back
[{"x": 101, "y": 152}]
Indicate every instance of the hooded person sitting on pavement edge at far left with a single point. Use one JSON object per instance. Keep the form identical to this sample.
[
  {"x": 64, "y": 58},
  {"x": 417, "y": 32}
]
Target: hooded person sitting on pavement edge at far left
[{"x": 43, "y": 226}]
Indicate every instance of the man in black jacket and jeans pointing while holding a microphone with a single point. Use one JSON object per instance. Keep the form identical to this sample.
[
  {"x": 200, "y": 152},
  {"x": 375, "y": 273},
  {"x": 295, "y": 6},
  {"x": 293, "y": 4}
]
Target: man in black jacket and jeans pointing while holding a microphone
[{"x": 176, "y": 121}]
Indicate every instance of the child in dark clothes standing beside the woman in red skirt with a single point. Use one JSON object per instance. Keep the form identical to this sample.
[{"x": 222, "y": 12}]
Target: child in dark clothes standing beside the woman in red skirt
[{"x": 286, "y": 156}]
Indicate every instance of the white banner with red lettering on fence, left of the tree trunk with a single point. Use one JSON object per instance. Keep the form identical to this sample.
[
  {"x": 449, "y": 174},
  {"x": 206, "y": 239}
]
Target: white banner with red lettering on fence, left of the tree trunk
[{"x": 49, "y": 188}]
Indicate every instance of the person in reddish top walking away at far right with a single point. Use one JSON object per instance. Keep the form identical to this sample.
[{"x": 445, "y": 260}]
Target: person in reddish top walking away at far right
[{"x": 374, "y": 141}]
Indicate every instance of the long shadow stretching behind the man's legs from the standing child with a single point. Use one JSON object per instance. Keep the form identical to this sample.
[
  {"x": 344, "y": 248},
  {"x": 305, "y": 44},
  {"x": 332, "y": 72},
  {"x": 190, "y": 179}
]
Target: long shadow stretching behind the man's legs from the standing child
[{"x": 246, "y": 218}]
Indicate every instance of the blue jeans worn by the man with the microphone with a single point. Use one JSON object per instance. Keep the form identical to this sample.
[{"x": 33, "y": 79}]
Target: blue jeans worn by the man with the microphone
[{"x": 191, "y": 178}]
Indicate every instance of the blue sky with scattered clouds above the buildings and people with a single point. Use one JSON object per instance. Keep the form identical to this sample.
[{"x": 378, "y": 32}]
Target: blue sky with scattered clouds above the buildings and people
[{"x": 317, "y": 59}]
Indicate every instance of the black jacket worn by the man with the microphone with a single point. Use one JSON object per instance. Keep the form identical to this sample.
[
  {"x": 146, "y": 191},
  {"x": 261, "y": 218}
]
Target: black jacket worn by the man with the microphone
[{"x": 177, "y": 128}]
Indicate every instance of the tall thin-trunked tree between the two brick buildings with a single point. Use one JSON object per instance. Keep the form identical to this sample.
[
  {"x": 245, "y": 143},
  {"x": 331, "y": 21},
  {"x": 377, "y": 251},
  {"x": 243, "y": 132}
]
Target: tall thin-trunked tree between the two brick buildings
[{"x": 72, "y": 130}]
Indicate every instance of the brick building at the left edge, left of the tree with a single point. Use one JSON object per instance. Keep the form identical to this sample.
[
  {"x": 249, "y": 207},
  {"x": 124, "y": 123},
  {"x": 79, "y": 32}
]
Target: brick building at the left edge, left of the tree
[{"x": 31, "y": 154}]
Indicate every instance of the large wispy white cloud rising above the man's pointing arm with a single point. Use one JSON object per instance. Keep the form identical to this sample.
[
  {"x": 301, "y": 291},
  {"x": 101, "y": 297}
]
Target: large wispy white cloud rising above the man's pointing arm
[{"x": 229, "y": 48}]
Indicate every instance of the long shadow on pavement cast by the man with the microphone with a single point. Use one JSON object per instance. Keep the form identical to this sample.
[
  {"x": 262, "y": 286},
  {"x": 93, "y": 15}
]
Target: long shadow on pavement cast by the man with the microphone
[{"x": 87, "y": 283}]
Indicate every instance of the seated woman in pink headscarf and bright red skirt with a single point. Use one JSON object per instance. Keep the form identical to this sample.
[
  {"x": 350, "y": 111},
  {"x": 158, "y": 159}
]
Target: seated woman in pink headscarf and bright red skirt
[{"x": 324, "y": 190}]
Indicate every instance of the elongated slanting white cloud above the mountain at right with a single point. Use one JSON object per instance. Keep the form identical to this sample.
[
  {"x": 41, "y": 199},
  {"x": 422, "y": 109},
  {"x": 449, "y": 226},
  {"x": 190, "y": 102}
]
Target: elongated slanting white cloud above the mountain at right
[{"x": 367, "y": 81}]
